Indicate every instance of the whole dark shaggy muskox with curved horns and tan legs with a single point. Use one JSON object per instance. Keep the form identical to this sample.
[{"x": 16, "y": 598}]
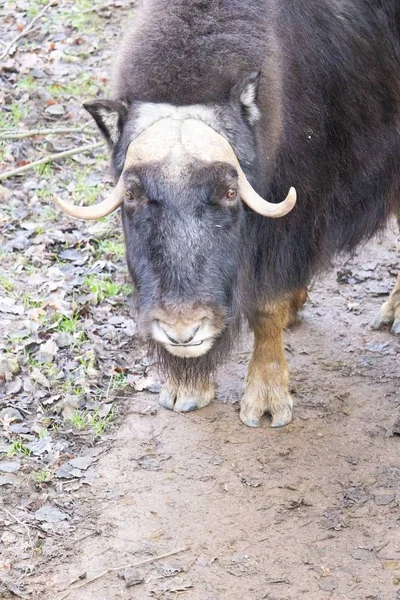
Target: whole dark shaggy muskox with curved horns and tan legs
[{"x": 223, "y": 113}]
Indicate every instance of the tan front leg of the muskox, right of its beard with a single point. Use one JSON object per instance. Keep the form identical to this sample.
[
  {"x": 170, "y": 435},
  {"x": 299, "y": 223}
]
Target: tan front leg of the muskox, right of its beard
[{"x": 268, "y": 373}]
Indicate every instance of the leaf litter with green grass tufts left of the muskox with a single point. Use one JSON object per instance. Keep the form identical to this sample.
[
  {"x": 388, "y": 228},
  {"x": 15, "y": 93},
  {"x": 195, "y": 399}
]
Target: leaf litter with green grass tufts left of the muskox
[{"x": 67, "y": 370}]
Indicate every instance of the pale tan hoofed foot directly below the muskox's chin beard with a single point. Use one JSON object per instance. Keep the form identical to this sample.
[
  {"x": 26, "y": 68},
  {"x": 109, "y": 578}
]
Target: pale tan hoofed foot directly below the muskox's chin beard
[{"x": 184, "y": 399}]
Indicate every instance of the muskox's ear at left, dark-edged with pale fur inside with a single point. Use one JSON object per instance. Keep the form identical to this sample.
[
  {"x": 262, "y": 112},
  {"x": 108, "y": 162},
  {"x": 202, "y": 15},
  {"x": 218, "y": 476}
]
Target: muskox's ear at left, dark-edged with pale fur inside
[{"x": 110, "y": 116}]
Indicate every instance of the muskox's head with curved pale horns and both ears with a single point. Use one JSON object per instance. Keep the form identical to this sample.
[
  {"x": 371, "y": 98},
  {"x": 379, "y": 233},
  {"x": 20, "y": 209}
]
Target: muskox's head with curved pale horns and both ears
[{"x": 183, "y": 195}]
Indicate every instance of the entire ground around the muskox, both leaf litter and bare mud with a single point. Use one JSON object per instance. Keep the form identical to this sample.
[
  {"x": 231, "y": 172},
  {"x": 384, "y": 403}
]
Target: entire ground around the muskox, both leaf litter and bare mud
[{"x": 93, "y": 474}]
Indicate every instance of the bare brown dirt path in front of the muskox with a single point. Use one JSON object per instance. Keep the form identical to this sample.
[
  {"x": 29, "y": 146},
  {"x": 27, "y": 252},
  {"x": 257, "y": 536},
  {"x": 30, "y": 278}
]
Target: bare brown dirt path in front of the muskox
[{"x": 310, "y": 511}]
